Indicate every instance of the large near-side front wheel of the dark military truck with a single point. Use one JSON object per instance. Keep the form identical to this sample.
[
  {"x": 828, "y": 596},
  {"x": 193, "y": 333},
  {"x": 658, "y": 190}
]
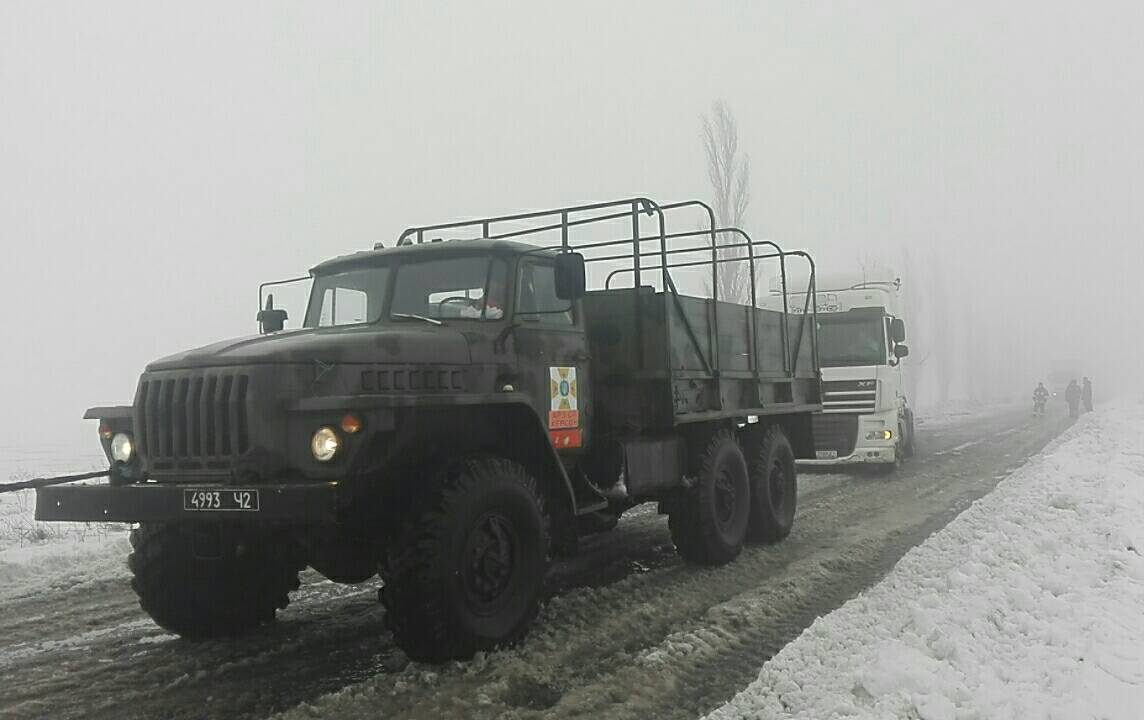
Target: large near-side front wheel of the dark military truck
[{"x": 467, "y": 569}]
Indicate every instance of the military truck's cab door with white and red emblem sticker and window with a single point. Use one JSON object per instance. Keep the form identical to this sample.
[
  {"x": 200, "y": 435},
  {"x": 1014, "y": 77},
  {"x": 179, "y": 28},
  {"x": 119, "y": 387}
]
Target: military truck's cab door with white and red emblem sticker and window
[{"x": 553, "y": 354}]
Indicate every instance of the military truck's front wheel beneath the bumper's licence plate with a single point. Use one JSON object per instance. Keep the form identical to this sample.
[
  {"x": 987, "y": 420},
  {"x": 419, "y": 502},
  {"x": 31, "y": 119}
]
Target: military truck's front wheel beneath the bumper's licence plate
[{"x": 203, "y": 598}]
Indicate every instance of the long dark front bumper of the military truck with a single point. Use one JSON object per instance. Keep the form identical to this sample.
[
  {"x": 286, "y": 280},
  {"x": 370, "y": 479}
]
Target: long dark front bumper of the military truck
[{"x": 307, "y": 504}]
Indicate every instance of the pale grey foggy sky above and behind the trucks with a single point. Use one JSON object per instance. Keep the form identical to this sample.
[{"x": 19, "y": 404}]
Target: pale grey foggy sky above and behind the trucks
[{"x": 158, "y": 163}]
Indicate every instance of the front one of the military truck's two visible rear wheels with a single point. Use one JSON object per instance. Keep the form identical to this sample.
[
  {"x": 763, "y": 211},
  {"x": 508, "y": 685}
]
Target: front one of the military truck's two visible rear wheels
[{"x": 710, "y": 523}]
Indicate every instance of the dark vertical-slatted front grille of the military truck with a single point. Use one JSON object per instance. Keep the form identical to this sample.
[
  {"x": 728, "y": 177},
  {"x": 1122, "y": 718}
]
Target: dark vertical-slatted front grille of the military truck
[{"x": 193, "y": 421}]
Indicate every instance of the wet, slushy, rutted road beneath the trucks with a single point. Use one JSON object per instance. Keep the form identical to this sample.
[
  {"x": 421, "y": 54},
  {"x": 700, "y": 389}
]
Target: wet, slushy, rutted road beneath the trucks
[{"x": 630, "y": 630}]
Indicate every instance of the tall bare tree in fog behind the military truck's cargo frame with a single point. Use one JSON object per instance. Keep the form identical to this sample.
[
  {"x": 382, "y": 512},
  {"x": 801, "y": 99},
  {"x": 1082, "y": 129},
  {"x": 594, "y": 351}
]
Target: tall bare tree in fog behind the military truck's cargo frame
[{"x": 729, "y": 172}]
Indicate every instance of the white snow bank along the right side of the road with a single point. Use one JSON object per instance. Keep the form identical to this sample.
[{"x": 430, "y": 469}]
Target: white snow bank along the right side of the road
[{"x": 1029, "y": 605}]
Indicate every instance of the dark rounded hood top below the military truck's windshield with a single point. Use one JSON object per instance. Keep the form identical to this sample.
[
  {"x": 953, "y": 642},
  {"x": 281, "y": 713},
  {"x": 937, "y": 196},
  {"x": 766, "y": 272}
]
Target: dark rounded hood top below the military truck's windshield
[{"x": 366, "y": 344}]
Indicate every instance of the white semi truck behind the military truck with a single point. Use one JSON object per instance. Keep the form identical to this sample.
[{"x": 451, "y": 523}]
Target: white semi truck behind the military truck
[{"x": 867, "y": 418}]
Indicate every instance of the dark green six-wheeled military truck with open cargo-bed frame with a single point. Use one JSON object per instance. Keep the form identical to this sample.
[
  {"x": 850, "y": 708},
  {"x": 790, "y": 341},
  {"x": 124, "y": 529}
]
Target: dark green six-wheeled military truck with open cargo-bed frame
[{"x": 451, "y": 416}]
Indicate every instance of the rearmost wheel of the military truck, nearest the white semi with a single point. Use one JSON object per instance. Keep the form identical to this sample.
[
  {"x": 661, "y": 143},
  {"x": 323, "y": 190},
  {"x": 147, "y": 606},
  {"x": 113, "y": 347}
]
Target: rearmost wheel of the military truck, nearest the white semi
[{"x": 774, "y": 488}]
